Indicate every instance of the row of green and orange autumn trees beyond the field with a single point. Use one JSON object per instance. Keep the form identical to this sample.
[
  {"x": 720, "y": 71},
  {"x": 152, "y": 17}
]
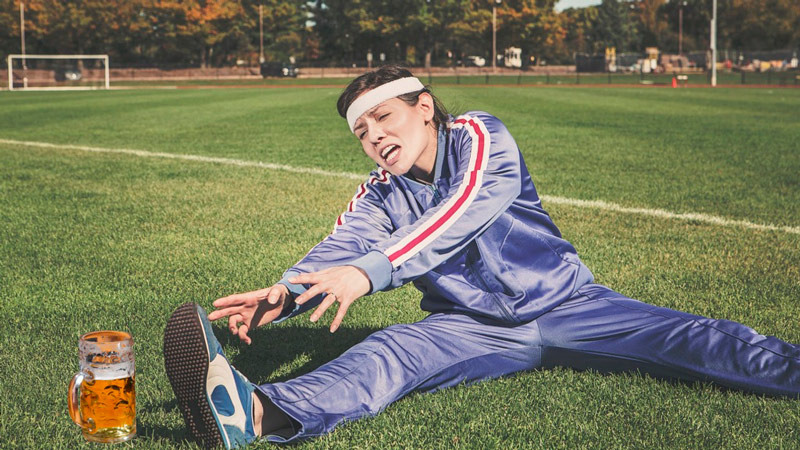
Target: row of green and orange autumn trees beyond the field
[{"x": 215, "y": 33}]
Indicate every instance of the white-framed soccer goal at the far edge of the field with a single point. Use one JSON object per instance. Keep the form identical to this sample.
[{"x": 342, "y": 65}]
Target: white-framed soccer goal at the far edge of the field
[{"x": 58, "y": 72}]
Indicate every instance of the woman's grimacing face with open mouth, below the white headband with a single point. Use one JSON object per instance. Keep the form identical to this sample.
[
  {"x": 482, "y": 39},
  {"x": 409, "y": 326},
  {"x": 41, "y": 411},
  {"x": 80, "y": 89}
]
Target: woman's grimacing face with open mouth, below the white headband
[{"x": 400, "y": 137}]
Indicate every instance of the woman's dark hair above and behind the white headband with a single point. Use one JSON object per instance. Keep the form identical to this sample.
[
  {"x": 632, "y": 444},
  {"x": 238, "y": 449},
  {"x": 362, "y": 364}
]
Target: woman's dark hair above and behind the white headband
[{"x": 383, "y": 75}]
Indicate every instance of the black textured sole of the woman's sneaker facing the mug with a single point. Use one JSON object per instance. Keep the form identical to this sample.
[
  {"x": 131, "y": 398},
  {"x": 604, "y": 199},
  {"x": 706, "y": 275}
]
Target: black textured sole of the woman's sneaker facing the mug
[{"x": 186, "y": 363}]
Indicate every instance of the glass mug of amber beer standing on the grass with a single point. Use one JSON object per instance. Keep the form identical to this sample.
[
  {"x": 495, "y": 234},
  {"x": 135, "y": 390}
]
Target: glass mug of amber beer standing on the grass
[{"x": 102, "y": 398}]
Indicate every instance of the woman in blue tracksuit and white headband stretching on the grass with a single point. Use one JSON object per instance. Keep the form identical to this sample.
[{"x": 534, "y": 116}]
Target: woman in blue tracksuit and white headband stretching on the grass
[{"x": 451, "y": 208}]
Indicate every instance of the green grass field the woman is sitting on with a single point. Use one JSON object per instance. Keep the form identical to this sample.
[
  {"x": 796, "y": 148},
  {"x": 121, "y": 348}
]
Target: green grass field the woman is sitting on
[{"x": 116, "y": 241}]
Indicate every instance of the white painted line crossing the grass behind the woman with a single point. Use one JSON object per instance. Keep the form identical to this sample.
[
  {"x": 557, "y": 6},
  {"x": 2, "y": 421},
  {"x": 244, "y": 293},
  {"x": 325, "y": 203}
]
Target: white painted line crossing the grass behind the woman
[{"x": 594, "y": 204}]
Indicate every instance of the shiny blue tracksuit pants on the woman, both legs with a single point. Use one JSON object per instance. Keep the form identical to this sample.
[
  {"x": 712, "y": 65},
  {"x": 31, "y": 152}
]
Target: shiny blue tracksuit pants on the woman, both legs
[{"x": 597, "y": 328}]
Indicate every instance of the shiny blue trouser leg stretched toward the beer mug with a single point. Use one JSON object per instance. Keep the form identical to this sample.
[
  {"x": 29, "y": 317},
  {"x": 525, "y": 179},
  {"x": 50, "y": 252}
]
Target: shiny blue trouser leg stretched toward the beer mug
[{"x": 440, "y": 351}]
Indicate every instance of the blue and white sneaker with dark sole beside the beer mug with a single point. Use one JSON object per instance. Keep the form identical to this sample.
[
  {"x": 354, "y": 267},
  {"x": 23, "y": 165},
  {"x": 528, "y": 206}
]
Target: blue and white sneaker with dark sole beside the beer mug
[{"x": 215, "y": 399}]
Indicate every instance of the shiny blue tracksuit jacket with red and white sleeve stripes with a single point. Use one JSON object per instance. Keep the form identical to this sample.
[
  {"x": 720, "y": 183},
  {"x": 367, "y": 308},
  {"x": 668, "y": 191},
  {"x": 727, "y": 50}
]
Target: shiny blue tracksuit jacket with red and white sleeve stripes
[{"x": 476, "y": 241}]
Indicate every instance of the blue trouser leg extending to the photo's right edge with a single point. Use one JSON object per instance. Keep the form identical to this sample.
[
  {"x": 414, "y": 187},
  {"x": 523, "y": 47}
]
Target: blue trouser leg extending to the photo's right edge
[{"x": 603, "y": 330}]
